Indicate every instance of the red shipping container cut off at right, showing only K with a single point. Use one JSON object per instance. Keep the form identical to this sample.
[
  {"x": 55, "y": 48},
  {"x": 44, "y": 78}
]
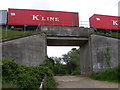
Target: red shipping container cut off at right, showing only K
[{"x": 104, "y": 22}]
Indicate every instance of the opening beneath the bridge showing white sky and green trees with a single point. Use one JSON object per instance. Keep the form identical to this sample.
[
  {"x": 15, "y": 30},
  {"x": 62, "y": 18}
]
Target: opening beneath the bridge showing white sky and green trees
[{"x": 64, "y": 63}]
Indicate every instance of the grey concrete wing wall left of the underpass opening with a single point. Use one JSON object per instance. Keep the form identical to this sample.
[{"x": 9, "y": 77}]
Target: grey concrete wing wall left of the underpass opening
[{"x": 30, "y": 51}]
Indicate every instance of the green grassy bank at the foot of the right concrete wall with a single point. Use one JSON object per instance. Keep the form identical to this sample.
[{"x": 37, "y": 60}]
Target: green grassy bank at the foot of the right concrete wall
[{"x": 111, "y": 75}]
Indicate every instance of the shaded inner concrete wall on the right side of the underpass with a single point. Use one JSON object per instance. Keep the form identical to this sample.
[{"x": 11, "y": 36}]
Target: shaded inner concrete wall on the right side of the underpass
[{"x": 85, "y": 59}]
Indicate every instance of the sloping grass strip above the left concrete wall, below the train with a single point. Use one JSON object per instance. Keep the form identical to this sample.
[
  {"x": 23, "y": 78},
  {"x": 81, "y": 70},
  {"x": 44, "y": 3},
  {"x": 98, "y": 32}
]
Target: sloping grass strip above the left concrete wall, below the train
[{"x": 13, "y": 33}]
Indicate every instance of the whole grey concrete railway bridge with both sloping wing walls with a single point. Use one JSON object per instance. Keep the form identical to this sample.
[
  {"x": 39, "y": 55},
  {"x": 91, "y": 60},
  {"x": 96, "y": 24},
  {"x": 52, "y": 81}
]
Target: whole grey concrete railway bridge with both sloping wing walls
[{"x": 32, "y": 49}]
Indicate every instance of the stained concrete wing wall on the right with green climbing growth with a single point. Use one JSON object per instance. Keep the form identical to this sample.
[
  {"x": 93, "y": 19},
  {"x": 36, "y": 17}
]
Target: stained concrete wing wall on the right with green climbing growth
[{"x": 104, "y": 52}]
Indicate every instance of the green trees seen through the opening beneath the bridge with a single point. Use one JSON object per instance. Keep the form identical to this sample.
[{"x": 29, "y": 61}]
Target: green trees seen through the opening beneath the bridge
[{"x": 71, "y": 66}]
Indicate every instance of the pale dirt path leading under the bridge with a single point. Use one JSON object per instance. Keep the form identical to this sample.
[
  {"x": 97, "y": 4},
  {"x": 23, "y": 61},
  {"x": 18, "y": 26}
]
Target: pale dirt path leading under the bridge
[{"x": 82, "y": 82}]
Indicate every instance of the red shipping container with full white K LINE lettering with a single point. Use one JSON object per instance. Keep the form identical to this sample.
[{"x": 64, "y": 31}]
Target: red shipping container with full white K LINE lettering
[{"x": 42, "y": 17}]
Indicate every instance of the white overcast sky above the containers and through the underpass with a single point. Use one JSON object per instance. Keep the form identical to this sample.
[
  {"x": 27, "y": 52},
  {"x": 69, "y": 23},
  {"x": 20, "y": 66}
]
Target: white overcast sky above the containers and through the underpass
[{"x": 85, "y": 8}]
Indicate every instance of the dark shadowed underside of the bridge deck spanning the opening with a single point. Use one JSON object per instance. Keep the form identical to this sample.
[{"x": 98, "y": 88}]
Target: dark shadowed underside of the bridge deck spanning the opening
[{"x": 66, "y": 41}]
